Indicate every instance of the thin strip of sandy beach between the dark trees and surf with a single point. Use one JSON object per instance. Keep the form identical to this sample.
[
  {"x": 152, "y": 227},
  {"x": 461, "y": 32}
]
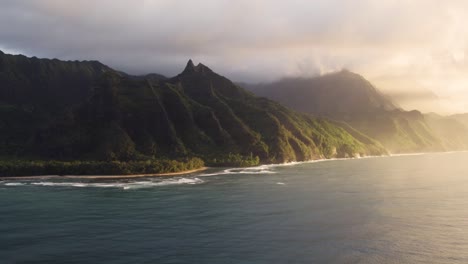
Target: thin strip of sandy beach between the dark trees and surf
[{"x": 126, "y": 176}]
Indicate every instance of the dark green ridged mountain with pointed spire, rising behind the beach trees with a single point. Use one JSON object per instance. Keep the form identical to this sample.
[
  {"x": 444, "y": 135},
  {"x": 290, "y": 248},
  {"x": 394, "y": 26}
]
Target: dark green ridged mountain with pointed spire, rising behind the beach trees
[{"x": 51, "y": 109}]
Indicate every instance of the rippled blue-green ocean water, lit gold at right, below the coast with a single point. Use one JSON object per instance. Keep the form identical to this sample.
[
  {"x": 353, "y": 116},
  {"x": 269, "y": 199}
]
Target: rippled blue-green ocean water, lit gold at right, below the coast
[{"x": 403, "y": 209}]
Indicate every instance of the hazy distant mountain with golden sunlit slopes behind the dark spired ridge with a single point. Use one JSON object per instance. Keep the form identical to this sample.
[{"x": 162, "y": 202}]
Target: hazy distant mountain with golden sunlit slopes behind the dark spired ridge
[{"x": 348, "y": 97}]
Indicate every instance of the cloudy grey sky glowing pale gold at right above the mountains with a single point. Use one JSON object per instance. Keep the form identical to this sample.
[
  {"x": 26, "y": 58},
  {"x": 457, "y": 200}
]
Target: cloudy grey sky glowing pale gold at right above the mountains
[{"x": 414, "y": 50}]
